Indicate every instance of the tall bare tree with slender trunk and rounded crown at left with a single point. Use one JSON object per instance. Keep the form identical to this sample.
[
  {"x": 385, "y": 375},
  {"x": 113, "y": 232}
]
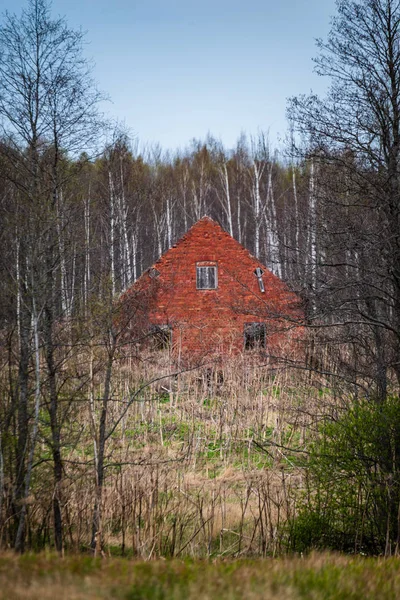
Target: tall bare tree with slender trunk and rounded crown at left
[{"x": 48, "y": 106}]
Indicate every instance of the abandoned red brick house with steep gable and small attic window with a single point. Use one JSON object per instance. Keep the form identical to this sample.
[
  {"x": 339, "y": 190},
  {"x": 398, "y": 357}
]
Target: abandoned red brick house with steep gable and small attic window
[{"x": 208, "y": 294}]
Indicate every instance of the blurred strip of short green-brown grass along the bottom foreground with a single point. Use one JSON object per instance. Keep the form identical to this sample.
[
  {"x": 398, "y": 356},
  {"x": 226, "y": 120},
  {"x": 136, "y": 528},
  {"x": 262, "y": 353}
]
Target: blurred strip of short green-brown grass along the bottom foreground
[{"x": 320, "y": 576}]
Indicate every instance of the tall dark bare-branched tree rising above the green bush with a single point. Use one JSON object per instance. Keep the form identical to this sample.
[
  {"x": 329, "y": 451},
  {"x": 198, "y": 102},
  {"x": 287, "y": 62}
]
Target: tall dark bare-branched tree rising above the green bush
[{"x": 355, "y": 131}]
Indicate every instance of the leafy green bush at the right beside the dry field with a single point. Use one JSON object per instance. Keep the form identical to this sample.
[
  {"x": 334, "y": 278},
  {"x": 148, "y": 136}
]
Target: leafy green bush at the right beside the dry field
[{"x": 351, "y": 499}]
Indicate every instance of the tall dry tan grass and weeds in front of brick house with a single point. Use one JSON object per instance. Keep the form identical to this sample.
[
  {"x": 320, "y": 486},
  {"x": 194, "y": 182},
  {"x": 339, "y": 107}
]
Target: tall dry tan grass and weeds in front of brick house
[{"x": 185, "y": 475}]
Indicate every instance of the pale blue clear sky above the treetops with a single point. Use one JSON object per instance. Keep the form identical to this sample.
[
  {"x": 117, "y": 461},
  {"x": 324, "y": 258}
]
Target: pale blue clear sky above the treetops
[{"x": 176, "y": 70}]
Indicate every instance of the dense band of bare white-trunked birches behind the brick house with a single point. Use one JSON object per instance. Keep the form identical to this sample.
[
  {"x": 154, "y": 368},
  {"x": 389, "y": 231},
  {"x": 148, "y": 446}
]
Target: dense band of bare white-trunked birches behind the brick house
[{"x": 306, "y": 219}]
